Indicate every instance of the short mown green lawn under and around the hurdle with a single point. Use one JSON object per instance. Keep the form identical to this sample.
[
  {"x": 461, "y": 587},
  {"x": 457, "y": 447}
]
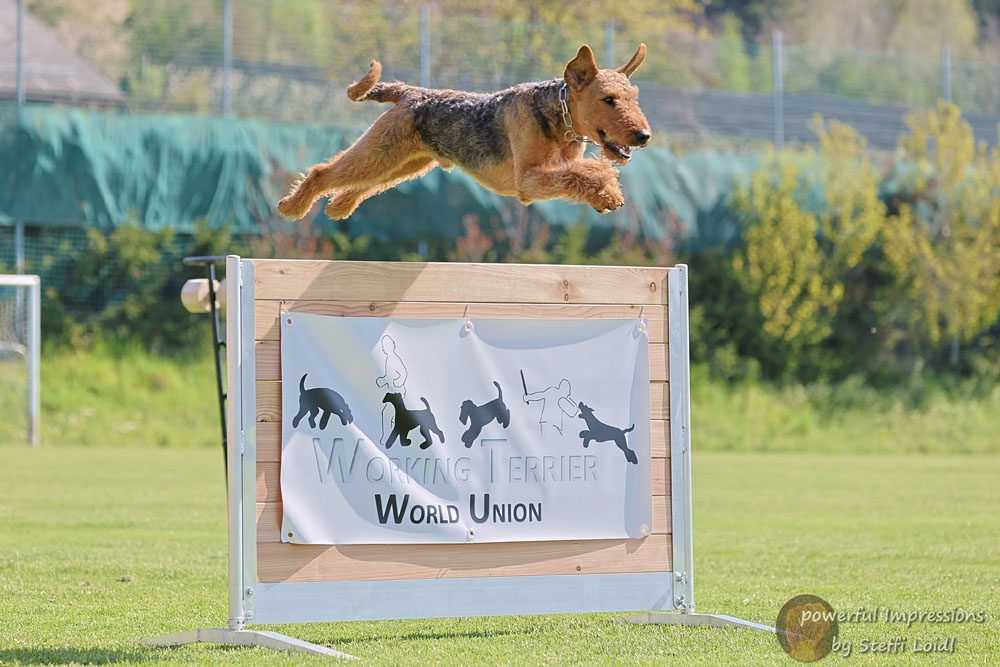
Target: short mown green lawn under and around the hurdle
[{"x": 101, "y": 547}]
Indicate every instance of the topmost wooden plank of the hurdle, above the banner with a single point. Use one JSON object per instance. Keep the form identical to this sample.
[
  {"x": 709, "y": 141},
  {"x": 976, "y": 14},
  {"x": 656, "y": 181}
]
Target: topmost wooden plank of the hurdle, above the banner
[{"x": 457, "y": 282}]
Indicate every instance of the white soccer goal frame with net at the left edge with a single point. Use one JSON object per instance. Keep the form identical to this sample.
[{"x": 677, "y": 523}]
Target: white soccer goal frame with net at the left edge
[{"x": 20, "y": 351}]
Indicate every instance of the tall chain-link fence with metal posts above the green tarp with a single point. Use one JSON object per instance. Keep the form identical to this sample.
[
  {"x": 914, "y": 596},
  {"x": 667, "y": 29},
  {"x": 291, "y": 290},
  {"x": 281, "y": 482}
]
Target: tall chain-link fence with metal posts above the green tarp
[{"x": 289, "y": 60}]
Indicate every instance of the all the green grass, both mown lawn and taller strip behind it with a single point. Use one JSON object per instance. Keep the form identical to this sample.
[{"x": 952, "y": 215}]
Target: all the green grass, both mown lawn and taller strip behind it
[{"x": 115, "y": 529}]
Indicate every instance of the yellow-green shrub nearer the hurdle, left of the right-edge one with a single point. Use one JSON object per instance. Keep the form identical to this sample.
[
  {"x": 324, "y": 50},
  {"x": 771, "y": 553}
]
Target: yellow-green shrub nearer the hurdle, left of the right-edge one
[{"x": 798, "y": 252}]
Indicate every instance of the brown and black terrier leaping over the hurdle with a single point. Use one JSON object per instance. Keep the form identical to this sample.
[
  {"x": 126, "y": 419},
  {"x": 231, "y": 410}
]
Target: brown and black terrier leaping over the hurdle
[{"x": 526, "y": 141}]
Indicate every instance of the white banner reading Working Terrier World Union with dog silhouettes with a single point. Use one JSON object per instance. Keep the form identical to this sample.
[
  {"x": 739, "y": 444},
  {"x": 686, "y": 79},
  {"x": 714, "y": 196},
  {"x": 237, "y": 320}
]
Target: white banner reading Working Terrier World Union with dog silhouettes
[{"x": 408, "y": 431}]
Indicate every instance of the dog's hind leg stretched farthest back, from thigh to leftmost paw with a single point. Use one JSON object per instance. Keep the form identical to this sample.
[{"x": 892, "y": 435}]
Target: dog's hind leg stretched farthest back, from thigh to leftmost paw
[{"x": 390, "y": 142}]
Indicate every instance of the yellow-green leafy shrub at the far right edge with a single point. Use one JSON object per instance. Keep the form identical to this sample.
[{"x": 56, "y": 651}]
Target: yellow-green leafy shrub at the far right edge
[{"x": 943, "y": 249}]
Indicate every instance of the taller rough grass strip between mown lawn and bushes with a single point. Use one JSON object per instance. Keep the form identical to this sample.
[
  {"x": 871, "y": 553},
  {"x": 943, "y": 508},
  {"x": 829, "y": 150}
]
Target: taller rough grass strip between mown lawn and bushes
[{"x": 133, "y": 399}]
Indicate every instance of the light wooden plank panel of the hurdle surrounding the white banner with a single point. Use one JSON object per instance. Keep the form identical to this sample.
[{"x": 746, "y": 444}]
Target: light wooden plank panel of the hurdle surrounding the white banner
[{"x": 412, "y": 290}]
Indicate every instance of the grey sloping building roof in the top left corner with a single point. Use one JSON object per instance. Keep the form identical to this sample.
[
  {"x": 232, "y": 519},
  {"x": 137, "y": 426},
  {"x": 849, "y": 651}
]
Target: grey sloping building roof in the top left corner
[{"x": 52, "y": 73}]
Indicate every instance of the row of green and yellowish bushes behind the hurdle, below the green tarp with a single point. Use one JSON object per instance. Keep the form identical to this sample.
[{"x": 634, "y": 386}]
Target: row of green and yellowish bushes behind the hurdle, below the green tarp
[{"x": 831, "y": 278}]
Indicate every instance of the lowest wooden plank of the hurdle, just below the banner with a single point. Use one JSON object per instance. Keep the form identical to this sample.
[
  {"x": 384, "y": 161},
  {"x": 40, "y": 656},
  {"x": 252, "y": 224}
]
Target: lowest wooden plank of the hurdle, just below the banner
[{"x": 278, "y": 562}]
